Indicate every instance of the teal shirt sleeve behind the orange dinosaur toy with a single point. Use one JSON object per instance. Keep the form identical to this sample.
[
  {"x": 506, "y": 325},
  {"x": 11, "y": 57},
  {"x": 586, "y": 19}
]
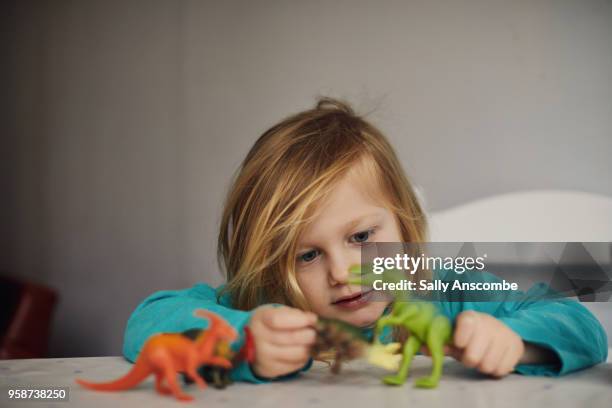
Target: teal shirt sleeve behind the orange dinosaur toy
[{"x": 171, "y": 311}]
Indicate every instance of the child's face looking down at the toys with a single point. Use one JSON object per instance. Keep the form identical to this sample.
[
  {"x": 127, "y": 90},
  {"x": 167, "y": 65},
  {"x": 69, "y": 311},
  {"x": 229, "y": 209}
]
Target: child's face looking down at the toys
[{"x": 331, "y": 243}]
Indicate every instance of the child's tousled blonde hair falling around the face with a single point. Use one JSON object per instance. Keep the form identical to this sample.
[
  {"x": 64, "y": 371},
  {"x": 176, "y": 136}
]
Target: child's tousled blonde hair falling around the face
[{"x": 287, "y": 172}]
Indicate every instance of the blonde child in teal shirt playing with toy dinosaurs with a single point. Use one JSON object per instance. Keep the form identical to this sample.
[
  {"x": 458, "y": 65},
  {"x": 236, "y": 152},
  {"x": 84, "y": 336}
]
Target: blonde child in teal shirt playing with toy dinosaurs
[{"x": 310, "y": 192}]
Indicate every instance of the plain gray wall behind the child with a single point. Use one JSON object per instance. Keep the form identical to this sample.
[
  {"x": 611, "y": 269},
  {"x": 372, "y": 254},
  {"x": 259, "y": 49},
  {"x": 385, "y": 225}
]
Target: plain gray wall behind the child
[{"x": 126, "y": 120}]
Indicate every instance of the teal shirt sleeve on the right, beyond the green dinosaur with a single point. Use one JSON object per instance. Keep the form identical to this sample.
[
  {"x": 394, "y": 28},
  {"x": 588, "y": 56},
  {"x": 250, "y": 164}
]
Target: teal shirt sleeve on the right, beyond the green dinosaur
[{"x": 563, "y": 326}]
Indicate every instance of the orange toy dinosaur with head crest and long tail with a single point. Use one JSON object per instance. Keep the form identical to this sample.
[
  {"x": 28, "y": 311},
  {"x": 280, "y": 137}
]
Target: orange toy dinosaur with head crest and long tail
[{"x": 167, "y": 354}]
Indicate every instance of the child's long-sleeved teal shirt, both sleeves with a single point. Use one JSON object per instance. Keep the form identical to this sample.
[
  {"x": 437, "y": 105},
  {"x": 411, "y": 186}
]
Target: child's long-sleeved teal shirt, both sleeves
[{"x": 561, "y": 325}]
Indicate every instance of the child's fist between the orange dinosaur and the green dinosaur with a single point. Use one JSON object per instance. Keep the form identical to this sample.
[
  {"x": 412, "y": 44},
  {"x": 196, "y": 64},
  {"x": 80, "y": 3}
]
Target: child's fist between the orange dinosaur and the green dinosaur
[{"x": 283, "y": 337}]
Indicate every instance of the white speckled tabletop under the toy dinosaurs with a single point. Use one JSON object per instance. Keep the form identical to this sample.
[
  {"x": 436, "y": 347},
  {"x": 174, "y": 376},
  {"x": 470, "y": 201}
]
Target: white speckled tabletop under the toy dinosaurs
[{"x": 358, "y": 386}]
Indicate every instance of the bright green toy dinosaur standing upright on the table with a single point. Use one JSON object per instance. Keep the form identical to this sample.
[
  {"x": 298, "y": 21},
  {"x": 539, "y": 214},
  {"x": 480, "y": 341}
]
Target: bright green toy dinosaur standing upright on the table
[{"x": 422, "y": 320}]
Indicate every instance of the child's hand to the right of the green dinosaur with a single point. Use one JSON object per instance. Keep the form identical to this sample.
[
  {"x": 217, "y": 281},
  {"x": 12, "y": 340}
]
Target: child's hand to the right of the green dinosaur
[{"x": 485, "y": 343}]
